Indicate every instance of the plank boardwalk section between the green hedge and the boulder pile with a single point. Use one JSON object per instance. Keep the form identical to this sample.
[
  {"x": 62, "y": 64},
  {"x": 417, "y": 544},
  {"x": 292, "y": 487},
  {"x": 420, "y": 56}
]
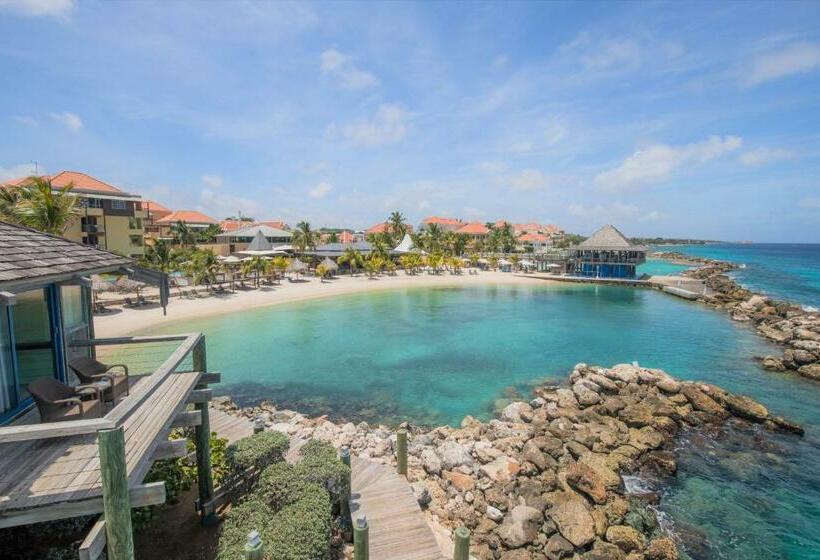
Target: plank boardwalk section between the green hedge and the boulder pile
[{"x": 398, "y": 529}]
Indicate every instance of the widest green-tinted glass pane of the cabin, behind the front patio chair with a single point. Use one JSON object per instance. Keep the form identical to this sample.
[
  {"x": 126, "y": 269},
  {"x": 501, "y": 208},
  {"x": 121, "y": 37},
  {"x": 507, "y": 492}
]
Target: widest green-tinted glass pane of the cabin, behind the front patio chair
[{"x": 32, "y": 337}]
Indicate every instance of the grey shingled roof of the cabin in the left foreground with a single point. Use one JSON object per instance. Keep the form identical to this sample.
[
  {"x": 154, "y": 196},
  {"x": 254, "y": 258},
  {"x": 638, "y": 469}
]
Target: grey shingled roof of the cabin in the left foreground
[{"x": 27, "y": 254}]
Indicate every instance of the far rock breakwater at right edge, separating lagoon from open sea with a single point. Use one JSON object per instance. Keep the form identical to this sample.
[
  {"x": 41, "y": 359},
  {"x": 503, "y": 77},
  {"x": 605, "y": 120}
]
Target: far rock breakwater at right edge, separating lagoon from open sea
[{"x": 784, "y": 323}]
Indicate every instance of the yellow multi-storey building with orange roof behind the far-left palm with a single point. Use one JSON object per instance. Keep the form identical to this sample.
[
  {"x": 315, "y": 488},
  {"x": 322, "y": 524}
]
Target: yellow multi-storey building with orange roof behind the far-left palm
[{"x": 110, "y": 219}]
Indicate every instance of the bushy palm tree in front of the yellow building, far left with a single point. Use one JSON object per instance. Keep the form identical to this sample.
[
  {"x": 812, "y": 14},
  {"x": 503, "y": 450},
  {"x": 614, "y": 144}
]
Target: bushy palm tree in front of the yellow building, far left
[{"x": 36, "y": 204}]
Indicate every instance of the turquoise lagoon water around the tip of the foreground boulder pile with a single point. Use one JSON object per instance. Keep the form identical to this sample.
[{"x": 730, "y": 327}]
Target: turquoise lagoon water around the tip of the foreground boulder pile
[{"x": 432, "y": 356}]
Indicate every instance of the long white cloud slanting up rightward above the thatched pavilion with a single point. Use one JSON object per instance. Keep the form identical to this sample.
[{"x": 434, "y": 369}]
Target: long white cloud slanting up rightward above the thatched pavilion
[{"x": 656, "y": 163}]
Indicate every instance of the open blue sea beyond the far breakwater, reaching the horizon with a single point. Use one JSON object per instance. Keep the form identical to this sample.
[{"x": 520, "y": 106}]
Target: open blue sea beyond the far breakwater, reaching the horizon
[{"x": 785, "y": 271}]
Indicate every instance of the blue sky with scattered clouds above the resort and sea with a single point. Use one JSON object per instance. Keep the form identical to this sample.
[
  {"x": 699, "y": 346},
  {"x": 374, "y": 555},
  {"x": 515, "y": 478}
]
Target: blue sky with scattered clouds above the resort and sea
[{"x": 664, "y": 118}]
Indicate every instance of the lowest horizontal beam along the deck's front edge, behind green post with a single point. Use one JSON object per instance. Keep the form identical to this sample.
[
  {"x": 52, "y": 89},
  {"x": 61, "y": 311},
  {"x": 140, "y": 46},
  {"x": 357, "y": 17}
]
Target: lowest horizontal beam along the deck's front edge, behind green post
[{"x": 150, "y": 494}]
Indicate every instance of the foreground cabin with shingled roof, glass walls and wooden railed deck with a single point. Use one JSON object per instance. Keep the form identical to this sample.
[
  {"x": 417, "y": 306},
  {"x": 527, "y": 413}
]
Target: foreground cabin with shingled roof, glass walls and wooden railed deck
[{"x": 87, "y": 445}]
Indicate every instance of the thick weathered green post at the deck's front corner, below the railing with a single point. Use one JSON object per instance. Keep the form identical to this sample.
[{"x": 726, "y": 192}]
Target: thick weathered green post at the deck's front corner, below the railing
[{"x": 116, "y": 499}]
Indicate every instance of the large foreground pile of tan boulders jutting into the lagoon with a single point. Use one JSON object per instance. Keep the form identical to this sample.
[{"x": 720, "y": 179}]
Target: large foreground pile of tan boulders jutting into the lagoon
[{"x": 545, "y": 479}]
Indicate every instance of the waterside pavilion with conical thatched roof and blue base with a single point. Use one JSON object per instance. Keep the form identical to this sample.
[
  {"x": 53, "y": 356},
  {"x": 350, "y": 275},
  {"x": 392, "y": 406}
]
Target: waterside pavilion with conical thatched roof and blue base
[{"x": 606, "y": 254}]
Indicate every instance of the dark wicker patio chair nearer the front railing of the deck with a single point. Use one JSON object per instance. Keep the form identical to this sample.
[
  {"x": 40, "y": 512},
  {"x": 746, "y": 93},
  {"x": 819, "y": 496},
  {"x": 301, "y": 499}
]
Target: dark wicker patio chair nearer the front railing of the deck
[{"x": 57, "y": 401}]
